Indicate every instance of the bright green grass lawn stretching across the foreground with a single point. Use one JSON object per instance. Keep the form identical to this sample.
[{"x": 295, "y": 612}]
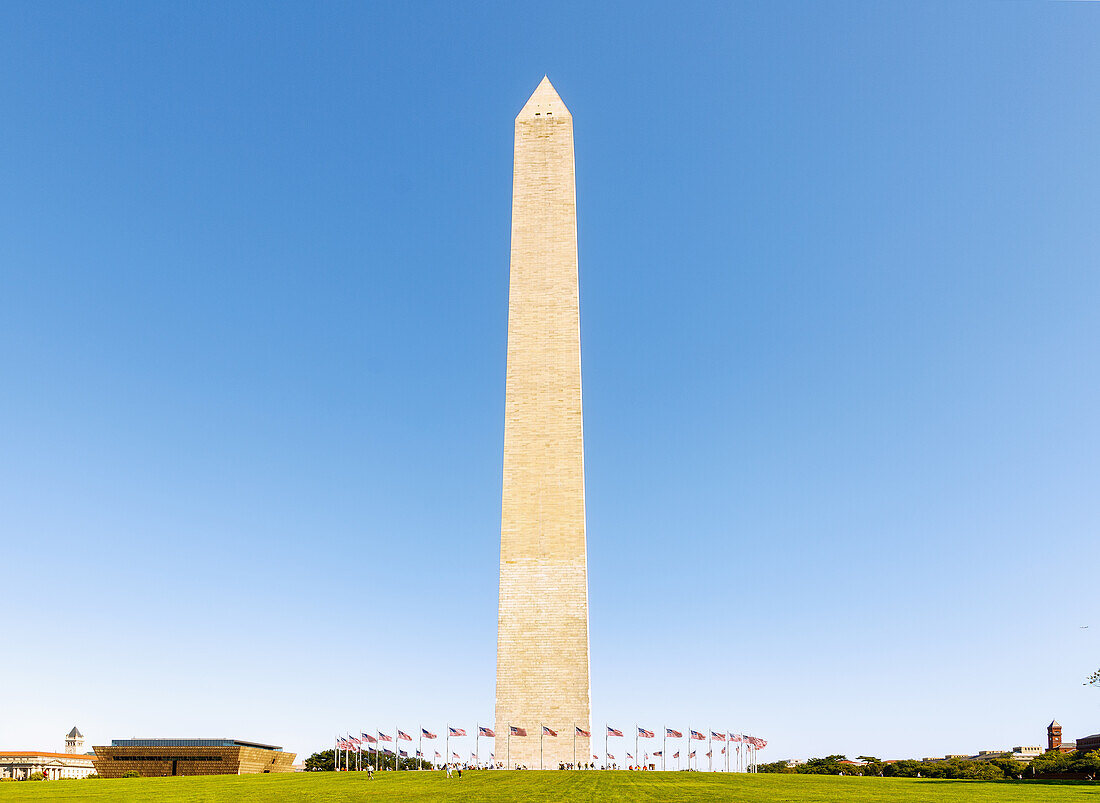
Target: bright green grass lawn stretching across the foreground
[{"x": 549, "y": 786}]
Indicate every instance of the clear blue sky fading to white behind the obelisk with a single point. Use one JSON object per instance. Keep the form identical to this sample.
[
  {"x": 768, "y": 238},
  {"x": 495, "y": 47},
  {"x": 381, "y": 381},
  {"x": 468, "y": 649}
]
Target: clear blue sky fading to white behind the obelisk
[{"x": 840, "y": 325}]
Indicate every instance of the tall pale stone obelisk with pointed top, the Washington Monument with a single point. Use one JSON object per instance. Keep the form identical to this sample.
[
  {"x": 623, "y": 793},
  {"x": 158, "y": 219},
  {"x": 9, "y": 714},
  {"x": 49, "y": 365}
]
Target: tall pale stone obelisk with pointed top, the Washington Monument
[{"x": 543, "y": 631}]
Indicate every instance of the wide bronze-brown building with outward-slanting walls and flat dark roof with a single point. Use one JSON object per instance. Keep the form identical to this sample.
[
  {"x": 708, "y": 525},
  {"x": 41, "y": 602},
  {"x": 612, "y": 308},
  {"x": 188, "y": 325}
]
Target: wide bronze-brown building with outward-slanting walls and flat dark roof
[{"x": 191, "y": 757}]
